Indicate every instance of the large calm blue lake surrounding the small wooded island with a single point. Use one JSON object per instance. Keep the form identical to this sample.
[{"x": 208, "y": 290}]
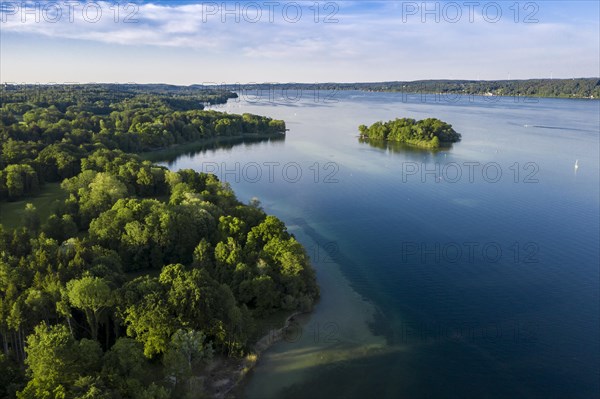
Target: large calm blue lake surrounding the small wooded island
[{"x": 467, "y": 272}]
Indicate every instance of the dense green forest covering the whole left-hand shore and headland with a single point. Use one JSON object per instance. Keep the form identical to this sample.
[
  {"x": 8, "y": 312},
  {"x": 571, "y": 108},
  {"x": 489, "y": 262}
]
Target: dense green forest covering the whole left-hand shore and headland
[{"x": 141, "y": 275}]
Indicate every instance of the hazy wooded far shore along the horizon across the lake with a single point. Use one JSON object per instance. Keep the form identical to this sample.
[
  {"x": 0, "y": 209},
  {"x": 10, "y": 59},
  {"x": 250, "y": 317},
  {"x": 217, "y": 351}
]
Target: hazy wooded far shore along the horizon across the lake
[{"x": 563, "y": 88}]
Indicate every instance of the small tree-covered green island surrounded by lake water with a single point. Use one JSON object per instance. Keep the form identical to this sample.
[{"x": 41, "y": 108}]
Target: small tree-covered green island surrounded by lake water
[{"x": 429, "y": 133}]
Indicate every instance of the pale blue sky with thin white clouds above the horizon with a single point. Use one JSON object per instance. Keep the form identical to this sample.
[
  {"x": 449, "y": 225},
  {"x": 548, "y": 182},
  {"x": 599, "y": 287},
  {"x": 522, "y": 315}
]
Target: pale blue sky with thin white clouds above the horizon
[{"x": 315, "y": 41}]
